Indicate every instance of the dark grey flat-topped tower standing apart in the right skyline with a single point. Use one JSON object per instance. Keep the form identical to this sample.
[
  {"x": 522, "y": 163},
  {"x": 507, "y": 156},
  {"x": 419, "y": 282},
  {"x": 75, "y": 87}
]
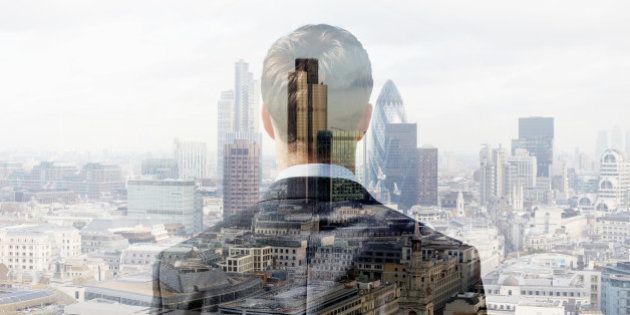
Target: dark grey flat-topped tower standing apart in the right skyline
[{"x": 535, "y": 134}]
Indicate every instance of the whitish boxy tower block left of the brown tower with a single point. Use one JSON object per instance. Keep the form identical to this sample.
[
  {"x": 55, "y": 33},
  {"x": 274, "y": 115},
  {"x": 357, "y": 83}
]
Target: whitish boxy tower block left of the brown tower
[{"x": 191, "y": 159}]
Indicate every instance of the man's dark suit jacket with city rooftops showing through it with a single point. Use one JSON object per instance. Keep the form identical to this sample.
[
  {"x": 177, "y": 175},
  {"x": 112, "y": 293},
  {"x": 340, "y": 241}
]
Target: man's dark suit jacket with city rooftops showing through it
[{"x": 310, "y": 245}]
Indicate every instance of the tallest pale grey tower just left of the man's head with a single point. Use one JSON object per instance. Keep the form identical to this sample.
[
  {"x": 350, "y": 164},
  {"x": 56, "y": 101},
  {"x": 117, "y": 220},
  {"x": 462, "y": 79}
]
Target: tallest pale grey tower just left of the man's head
[{"x": 246, "y": 99}]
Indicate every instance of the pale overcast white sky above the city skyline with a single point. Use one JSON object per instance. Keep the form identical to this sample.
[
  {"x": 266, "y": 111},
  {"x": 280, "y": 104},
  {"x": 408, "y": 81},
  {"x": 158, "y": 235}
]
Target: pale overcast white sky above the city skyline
[{"x": 133, "y": 75}]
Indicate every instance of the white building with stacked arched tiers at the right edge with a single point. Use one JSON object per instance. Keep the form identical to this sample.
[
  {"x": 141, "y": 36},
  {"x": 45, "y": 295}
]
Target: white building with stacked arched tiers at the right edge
[{"x": 614, "y": 182}]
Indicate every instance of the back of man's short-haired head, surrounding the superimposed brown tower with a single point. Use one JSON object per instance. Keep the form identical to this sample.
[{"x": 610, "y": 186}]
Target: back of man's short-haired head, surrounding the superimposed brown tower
[{"x": 344, "y": 66}]
